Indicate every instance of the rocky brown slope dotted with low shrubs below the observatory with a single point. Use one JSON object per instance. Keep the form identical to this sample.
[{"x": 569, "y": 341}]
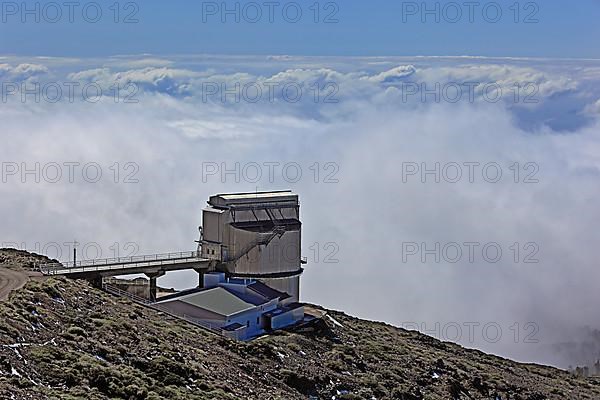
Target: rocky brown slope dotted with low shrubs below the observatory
[{"x": 62, "y": 339}]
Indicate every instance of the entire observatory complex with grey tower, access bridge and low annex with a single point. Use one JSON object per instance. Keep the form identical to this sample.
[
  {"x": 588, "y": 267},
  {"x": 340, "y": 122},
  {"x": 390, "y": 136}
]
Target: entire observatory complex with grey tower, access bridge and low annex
[{"x": 249, "y": 263}]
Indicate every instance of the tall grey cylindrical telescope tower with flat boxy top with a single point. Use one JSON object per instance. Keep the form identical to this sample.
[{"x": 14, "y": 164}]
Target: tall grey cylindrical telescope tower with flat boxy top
[{"x": 256, "y": 236}]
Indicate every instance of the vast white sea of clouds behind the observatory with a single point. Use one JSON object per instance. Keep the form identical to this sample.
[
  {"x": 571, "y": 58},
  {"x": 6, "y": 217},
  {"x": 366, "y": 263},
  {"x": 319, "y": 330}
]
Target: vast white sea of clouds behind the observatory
[{"x": 164, "y": 138}]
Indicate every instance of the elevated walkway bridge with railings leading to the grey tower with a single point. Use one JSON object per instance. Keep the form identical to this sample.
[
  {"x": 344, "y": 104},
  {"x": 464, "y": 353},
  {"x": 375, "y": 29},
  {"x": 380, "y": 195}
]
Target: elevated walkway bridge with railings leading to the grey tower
[{"x": 127, "y": 265}]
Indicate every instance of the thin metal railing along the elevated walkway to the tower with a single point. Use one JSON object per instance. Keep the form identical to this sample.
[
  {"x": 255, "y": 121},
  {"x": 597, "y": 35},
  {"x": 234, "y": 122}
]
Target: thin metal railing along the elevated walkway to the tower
[{"x": 117, "y": 263}]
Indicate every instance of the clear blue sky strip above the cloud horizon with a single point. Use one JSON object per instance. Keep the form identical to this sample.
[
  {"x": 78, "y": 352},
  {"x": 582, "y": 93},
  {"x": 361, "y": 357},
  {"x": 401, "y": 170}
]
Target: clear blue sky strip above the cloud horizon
[{"x": 378, "y": 27}]
